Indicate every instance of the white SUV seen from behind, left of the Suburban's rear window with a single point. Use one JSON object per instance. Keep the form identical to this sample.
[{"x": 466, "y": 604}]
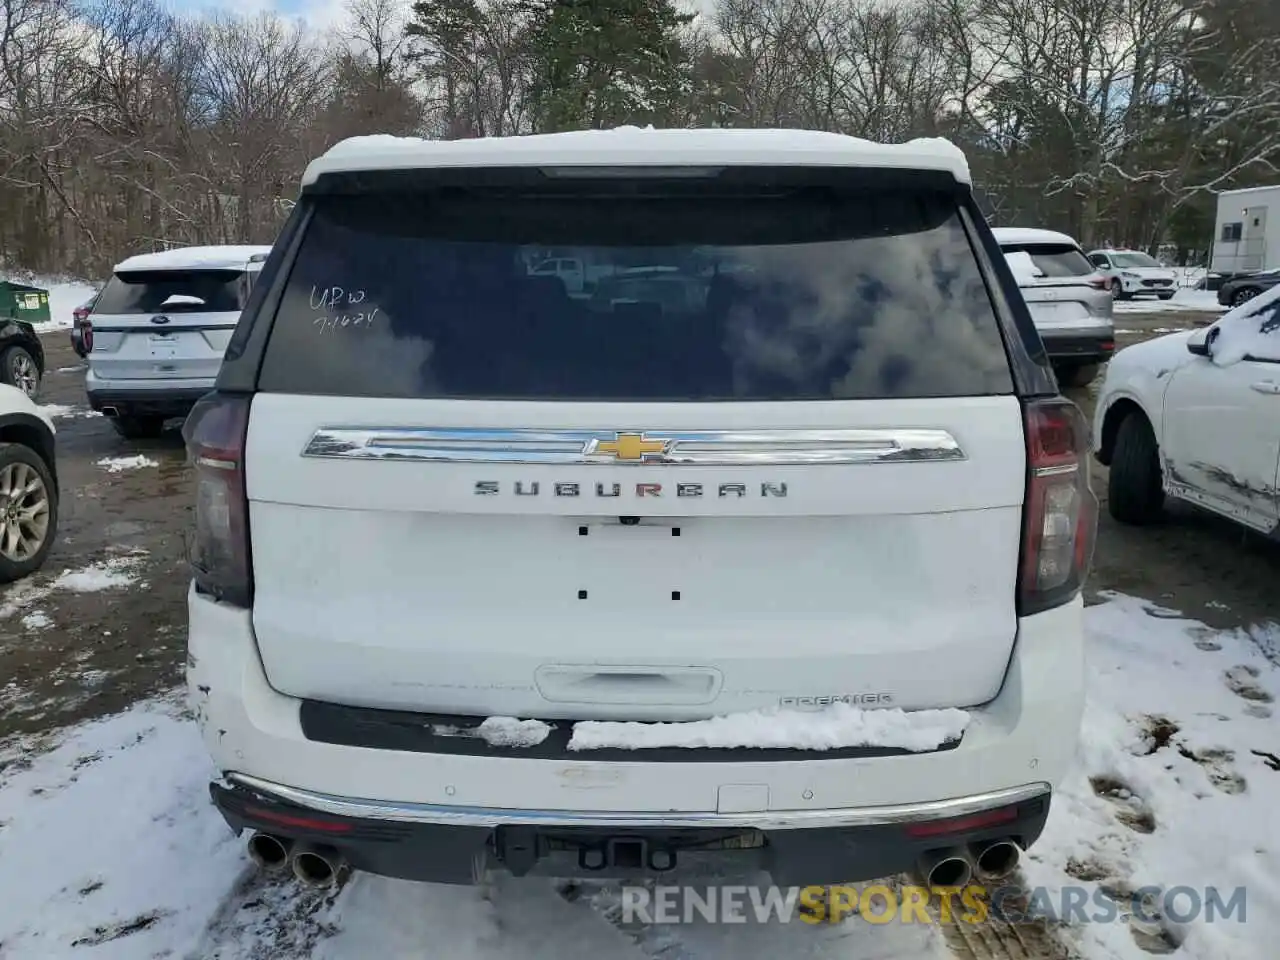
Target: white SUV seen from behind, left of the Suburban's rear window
[{"x": 158, "y": 332}]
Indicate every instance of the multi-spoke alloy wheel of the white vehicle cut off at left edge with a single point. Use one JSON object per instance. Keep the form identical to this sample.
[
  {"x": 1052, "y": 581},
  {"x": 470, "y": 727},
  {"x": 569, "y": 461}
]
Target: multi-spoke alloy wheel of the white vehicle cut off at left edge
[{"x": 29, "y": 511}]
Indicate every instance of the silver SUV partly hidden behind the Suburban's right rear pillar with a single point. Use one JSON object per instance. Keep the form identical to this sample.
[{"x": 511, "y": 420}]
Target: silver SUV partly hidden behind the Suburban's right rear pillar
[{"x": 1069, "y": 300}]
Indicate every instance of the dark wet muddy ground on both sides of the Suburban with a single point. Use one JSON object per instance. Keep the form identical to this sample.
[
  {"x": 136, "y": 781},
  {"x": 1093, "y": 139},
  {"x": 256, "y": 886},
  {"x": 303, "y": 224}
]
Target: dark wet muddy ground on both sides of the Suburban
[{"x": 67, "y": 655}]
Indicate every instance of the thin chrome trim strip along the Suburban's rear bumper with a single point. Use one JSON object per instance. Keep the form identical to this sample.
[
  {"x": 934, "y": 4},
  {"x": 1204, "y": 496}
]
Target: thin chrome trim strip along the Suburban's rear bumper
[{"x": 764, "y": 820}]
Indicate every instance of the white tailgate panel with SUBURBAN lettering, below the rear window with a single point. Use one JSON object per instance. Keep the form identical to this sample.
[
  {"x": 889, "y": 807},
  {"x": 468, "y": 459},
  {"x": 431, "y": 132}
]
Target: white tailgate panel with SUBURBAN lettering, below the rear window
[{"x": 391, "y": 583}]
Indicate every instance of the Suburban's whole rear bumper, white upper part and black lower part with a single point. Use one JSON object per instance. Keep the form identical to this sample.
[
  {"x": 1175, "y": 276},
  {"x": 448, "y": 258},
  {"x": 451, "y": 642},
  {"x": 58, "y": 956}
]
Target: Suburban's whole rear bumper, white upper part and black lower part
[{"x": 848, "y": 813}]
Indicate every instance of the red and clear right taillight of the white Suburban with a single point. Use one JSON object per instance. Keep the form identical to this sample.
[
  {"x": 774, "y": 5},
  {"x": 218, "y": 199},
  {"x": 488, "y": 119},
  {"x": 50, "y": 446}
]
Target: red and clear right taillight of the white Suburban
[{"x": 1062, "y": 514}]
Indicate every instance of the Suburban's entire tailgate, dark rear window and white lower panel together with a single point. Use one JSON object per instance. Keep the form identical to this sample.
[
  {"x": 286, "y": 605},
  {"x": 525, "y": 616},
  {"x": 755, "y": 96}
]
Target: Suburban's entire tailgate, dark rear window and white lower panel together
[{"x": 405, "y": 556}]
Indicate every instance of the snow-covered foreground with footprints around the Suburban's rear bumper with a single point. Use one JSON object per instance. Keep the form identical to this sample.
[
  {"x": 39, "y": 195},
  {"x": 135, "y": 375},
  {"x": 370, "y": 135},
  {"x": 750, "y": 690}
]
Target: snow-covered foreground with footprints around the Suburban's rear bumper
[{"x": 120, "y": 854}]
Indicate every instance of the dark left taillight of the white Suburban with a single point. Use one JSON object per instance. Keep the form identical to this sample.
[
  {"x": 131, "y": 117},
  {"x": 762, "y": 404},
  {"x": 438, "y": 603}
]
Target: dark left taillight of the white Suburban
[{"x": 216, "y": 433}]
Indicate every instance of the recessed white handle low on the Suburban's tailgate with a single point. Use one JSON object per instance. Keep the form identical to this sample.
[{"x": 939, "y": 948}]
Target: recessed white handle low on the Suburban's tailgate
[{"x": 653, "y": 687}]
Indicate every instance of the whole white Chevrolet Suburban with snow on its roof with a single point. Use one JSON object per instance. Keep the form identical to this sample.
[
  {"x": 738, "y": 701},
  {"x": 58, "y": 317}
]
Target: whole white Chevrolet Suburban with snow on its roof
[{"x": 784, "y": 570}]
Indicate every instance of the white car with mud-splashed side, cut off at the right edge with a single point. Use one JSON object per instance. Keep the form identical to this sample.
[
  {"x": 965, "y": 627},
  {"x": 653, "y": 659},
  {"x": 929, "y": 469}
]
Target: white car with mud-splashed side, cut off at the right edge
[{"x": 1196, "y": 415}]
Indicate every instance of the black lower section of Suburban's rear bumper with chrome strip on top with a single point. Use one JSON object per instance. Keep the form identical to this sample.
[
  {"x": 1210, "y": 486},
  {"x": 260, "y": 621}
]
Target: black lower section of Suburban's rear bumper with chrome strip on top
[{"x": 456, "y": 844}]
